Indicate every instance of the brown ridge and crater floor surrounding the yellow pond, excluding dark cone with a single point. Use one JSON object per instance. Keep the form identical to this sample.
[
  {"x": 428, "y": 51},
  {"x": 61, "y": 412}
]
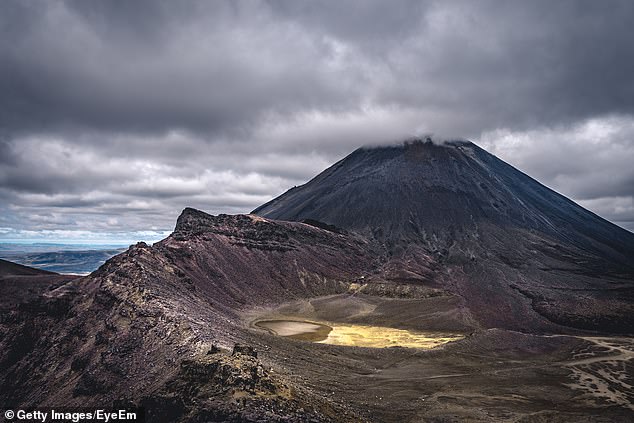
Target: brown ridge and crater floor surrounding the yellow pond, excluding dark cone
[{"x": 156, "y": 326}]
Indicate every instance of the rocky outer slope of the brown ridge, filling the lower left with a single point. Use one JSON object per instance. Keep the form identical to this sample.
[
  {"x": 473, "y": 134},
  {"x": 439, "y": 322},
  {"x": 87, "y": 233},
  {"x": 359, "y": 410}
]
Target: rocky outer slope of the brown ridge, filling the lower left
[{"x": 126, "y": 335}]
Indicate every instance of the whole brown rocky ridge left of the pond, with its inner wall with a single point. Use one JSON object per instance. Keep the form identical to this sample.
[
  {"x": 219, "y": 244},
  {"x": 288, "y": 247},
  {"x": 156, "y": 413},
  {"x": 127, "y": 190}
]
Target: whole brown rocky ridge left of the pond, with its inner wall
[{"x": 157, "y": 326}]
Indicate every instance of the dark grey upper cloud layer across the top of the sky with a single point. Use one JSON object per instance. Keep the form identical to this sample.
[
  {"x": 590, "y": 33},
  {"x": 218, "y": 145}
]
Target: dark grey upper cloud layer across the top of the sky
[{"x": 213, "y": 66}]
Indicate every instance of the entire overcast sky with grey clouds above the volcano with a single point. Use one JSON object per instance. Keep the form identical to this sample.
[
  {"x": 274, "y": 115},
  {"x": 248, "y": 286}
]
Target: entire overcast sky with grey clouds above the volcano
[{"x": 114, "y": 116}]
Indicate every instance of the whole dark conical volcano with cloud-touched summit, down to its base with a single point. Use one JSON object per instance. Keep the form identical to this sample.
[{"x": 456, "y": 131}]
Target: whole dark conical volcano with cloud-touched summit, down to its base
[{"x": 514, "y": 250}]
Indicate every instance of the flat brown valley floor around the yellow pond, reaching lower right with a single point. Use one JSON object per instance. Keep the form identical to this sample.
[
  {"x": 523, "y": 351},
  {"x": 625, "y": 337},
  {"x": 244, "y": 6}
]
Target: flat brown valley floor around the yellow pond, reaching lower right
[{"x": 490, "y": 375}]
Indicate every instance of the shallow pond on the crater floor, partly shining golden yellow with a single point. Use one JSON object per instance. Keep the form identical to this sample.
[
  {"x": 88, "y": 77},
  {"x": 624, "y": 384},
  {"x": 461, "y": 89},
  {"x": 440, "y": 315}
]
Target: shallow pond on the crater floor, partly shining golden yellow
[{"x": 355, "y": 335}]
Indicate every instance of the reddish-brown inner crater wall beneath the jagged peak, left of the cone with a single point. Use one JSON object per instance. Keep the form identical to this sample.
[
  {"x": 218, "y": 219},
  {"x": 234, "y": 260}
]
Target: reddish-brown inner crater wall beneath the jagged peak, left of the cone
[{"x": 235, "y": 261}]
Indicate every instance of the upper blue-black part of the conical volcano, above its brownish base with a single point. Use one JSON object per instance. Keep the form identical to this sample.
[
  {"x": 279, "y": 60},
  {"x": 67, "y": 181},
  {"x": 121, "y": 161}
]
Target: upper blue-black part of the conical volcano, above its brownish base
[{"x": 440, "y": 194}]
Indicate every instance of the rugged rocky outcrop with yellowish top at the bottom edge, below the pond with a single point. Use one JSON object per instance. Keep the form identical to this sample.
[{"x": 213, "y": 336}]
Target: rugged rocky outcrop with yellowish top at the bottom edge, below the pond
[{"x": 232, "y": 388}]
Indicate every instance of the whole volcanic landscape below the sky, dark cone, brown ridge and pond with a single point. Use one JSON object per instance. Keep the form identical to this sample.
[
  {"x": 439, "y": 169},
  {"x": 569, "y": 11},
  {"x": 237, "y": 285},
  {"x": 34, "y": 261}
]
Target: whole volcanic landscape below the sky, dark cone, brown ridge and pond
[{"x": 417, "y": 282}]
